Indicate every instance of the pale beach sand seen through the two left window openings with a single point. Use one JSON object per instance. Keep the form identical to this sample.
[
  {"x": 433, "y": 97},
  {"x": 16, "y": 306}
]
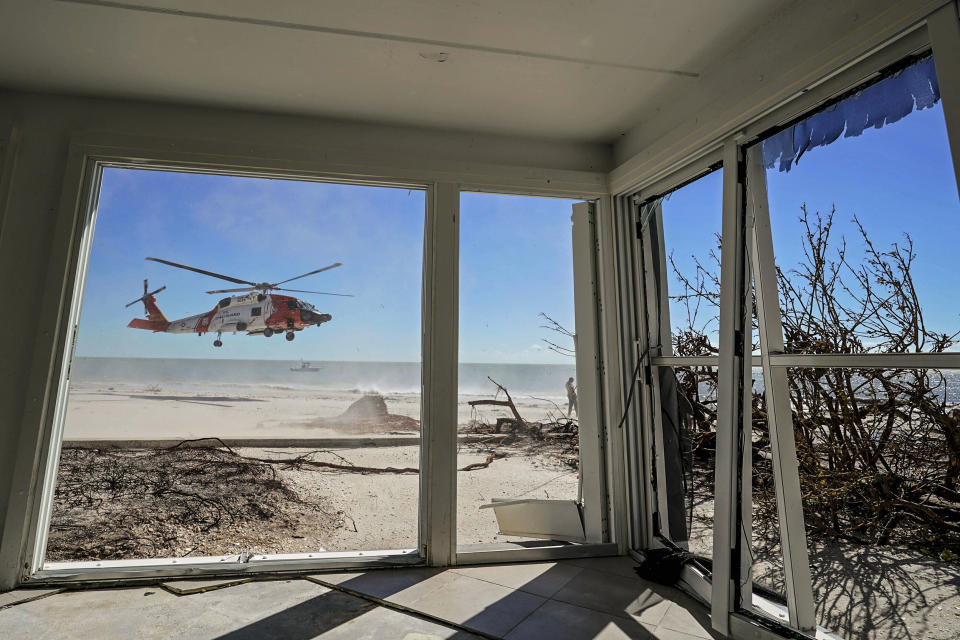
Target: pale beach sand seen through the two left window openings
[{"x": 365, "y": 511}]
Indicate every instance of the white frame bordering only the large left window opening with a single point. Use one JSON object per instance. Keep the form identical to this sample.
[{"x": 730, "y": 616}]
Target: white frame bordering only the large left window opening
[{"x": 88, "y": 165}]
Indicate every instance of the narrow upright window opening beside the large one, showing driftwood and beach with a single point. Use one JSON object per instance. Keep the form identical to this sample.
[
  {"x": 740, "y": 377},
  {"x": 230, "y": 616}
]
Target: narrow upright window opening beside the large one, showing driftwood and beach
[{"x": 517, "y": 418}]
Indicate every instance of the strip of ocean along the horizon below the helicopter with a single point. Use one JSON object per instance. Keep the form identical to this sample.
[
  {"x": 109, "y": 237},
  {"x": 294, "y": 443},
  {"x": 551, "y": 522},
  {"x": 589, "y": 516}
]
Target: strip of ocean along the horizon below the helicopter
[{"x": 383, "y": 377}]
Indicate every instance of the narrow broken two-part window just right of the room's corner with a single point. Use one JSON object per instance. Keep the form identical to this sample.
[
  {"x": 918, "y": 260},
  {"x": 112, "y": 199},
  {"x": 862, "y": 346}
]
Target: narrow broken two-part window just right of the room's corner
[{"x": 680, "y": 238}]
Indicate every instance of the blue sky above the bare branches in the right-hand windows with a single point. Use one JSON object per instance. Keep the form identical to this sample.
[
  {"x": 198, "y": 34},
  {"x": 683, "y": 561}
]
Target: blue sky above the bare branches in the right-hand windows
[{"x": 898, "y": 179}]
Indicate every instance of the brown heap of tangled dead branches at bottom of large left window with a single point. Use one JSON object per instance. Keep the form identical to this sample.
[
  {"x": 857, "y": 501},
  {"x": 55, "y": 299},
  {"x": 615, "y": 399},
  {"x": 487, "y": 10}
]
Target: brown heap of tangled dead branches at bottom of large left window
[{"x": 166, "y": 502}]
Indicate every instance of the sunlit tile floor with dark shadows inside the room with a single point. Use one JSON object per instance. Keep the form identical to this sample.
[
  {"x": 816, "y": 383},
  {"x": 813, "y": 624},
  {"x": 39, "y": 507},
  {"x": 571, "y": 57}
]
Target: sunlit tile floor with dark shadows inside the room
[{"x": 568, "y": 599}]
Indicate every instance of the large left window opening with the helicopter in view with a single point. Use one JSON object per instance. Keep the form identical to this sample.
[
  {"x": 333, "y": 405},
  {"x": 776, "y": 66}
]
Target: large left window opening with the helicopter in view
[{"x": 230, "y": 383}]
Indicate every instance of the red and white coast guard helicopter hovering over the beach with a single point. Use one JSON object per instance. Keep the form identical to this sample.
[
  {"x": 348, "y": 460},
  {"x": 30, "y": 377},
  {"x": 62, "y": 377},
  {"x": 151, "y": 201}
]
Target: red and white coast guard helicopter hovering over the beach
[{"x": 258, "y": 311}]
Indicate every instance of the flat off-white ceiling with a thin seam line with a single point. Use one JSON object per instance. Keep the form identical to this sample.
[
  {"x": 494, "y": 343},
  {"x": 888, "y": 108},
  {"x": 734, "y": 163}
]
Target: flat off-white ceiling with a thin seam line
[{"x": 559, "y": 69}]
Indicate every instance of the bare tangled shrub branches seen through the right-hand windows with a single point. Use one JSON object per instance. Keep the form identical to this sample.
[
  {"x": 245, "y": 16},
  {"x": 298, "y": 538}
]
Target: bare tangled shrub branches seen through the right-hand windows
[{"x": 879, "y": 449}]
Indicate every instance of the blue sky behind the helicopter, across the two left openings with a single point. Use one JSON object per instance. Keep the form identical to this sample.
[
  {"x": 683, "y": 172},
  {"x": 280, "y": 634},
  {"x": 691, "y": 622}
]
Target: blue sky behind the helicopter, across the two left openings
[{"x": 516, "y": 261}]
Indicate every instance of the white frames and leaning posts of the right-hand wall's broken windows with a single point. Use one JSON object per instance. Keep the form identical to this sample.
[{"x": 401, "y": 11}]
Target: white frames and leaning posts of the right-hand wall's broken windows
[{"x": 749, "y": 259}]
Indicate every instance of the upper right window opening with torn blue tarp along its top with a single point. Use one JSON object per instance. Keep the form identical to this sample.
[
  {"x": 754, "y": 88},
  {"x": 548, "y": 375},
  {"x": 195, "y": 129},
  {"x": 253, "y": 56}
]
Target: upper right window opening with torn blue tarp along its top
[{"x": 864, "y": 210}]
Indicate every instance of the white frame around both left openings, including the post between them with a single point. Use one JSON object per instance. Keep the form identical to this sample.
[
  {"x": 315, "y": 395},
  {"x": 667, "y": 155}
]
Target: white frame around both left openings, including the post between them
[{"x": 26, "y": 527}]
